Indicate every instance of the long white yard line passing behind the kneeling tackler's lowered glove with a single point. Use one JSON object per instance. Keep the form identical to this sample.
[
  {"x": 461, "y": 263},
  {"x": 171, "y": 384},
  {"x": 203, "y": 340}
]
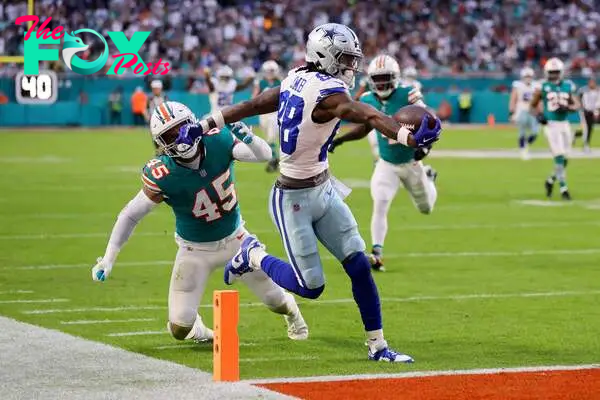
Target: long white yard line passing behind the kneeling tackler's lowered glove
[{"x": 329, "y": 257}]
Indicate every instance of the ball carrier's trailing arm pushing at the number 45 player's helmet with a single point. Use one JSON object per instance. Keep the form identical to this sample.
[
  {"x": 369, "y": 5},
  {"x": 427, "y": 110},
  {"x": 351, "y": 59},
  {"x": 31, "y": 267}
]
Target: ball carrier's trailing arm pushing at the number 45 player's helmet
[{"x": 265, "y": 103}]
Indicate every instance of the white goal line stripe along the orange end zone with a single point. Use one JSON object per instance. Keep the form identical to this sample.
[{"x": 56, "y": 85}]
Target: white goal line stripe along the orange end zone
[{"x": 483, "y": 371}]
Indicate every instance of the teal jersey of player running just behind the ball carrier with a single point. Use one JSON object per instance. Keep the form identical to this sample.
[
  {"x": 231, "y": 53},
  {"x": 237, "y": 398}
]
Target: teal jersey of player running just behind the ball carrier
[{"x": 389, "y": 149}]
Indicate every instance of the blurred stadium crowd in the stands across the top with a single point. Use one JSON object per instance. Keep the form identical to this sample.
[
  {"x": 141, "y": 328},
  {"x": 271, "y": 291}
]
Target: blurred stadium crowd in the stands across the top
[{"x": 437, "y": 36}]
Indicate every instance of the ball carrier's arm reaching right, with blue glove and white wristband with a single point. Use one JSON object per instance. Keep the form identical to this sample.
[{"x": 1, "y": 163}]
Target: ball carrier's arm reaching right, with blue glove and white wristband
[{"x": 340, "y": 105}]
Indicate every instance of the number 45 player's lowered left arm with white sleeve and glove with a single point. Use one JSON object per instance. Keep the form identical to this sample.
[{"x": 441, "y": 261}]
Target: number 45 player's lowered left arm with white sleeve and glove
[{"x": 129, "y": 217}]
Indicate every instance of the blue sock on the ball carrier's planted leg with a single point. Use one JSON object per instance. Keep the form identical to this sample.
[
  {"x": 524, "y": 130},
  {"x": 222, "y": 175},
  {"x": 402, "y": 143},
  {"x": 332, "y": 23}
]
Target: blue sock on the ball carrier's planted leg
[{"x": 364, "y": 290}]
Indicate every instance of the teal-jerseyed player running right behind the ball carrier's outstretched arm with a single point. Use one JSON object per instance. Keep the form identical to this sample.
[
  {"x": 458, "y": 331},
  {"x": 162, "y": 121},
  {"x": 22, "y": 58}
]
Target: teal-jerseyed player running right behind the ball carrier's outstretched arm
[{"x": 398, "y": 164}]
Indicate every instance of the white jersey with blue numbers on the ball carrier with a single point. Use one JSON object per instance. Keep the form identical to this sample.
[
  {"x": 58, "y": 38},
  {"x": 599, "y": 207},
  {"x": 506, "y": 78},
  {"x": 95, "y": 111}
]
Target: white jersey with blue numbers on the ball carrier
[{"x": 303, "y": 142}]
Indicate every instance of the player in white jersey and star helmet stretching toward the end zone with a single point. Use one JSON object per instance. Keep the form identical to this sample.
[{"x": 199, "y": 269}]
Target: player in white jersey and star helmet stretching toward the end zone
[{"x": 306, "y": 203}]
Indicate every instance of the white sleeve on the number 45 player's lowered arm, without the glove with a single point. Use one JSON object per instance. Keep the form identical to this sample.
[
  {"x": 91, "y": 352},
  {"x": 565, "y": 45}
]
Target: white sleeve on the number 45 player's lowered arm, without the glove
[{"x": 127, "y": 220}]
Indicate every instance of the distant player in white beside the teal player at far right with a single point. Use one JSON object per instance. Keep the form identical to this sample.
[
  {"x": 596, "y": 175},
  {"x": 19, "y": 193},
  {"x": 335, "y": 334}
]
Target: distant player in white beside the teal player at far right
[{"x": 519, "y": 110}]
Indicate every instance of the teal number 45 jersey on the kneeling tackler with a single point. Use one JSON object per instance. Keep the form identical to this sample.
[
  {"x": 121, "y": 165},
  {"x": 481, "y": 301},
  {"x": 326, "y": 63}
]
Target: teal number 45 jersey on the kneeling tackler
[{"x": 203, "y": 200}]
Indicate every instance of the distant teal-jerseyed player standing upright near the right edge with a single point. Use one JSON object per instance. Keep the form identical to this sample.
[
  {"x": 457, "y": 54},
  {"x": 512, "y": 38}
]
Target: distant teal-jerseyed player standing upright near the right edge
[{"x": 558, "y": 98}]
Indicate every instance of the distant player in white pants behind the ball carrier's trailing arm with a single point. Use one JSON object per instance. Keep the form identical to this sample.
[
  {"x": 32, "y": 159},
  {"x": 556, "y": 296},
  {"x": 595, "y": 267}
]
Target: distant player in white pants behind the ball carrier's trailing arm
[{"x": 268, "y": 122}]
